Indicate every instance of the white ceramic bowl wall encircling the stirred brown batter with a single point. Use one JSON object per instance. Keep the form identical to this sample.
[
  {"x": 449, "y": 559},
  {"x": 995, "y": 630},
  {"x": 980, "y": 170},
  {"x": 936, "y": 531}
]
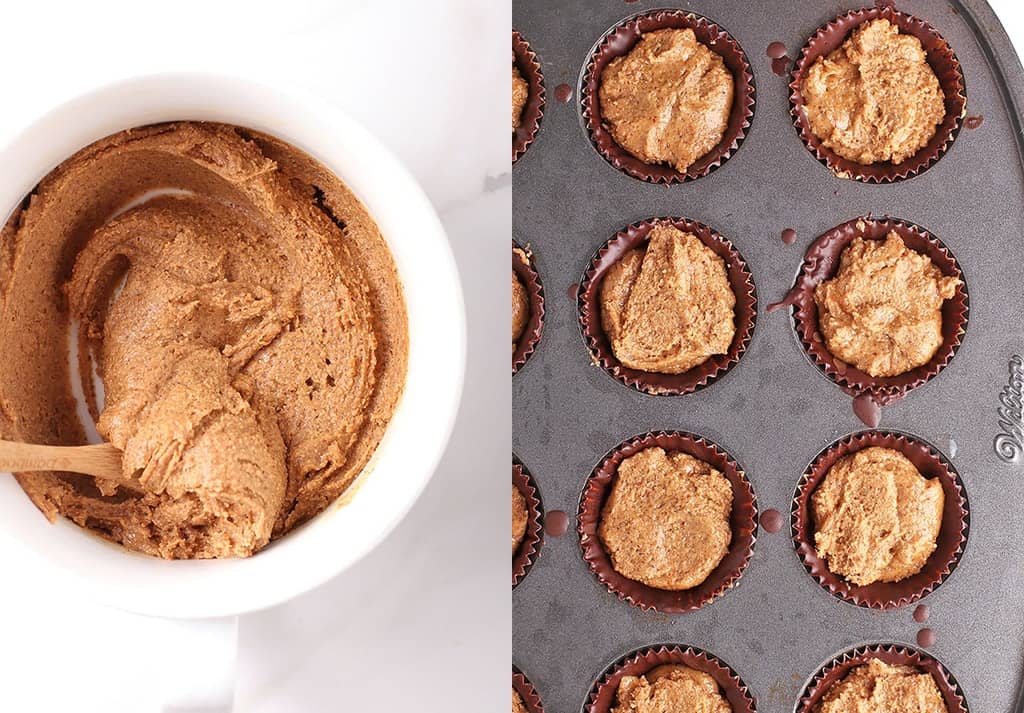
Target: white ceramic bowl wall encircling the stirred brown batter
[{"x": 65, "y": 557}]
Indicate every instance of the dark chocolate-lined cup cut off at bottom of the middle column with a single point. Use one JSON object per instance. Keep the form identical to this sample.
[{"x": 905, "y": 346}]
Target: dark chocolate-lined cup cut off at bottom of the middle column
[{"x": 606, "y": 690}]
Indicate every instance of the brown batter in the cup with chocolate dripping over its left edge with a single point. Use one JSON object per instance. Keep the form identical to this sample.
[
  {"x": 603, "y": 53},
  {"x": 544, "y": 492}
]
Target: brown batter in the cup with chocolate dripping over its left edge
[{"x": 883, "y": 311}]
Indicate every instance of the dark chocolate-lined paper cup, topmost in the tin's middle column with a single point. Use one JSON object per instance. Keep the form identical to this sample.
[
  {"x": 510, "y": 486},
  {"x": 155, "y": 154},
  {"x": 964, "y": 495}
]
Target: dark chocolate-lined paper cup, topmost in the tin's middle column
[{"x": 623, "y": 38}]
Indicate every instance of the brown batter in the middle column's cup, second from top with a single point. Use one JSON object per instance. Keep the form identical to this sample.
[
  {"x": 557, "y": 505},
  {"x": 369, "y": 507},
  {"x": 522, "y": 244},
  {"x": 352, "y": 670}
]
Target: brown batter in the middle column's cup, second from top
[{"x": 668, "y": 308}]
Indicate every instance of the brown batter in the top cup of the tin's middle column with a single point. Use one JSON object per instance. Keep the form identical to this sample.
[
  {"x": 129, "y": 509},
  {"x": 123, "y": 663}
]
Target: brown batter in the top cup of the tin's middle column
[{"x": 668, "y": 101}]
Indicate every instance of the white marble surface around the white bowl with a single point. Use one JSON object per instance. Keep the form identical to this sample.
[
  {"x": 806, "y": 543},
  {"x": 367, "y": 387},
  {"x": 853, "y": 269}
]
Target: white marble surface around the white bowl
[{"x": 423, "y": 623}]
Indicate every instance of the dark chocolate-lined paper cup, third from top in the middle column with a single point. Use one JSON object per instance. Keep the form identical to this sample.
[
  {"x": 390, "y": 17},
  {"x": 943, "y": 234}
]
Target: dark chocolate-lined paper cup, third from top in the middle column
[{"x": 743, "y": 521}]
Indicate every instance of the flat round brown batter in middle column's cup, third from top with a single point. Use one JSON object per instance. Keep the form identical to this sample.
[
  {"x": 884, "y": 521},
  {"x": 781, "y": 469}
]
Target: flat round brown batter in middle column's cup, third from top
[{"x": 666, "y": 523}]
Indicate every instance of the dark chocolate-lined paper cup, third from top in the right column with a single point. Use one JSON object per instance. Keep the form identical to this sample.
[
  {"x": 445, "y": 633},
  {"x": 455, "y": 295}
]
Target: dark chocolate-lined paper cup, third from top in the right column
[{"x": 950, "y": 544}]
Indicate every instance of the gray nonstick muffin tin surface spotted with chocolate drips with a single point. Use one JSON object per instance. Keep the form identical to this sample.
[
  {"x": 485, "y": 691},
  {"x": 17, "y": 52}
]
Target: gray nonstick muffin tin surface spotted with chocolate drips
[{"x": 774, "y": 412}]
